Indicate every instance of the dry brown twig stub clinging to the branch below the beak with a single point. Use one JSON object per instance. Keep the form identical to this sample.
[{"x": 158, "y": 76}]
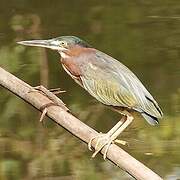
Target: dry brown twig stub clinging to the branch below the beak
[{"x": 51, "y": 95}]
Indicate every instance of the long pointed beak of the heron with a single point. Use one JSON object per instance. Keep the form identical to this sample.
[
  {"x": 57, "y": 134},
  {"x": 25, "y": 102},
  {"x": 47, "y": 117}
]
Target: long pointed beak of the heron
[{"x": 51, "y": 44}]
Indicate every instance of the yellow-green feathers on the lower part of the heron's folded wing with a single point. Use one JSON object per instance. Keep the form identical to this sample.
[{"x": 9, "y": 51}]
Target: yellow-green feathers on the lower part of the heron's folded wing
[{"x": 109, "y": 92}]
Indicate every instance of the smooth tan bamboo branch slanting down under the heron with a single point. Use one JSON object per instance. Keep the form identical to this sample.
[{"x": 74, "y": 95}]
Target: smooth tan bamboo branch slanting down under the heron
[{"x": 115, "y": 154}]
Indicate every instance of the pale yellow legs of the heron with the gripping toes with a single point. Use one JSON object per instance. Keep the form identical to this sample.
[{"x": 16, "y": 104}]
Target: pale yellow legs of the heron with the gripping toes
[{"x": 109, "y": 138}]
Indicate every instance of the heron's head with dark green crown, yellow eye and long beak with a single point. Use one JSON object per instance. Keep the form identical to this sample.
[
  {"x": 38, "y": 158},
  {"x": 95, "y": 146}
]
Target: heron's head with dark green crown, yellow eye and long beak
[{"x": 61, "y": 44}]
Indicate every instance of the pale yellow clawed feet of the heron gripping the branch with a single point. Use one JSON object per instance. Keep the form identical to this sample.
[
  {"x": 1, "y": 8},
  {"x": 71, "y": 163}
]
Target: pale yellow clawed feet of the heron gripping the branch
[{"x": 102, "y": 141}]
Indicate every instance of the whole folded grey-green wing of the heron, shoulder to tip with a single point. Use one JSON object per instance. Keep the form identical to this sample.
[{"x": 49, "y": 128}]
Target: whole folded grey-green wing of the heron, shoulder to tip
[{"x": 112, "y": 83}]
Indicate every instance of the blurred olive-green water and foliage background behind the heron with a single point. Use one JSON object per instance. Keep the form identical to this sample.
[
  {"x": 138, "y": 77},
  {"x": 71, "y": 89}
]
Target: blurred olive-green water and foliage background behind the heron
[{"x": 144, "y": 35}]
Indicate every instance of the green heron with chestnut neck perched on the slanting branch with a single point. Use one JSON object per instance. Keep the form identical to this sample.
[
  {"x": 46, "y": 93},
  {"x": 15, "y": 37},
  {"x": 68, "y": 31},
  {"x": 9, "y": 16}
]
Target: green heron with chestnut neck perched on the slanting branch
[{"x": 106, "y": 79}]
